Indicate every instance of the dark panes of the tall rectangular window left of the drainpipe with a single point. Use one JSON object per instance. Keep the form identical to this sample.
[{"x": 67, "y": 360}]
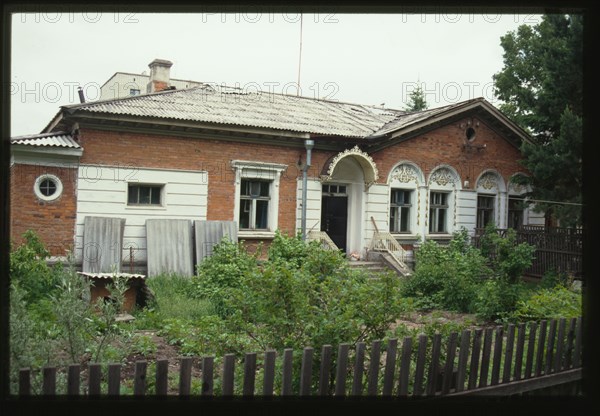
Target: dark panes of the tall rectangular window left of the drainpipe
[{"x": 254, "y": 204}]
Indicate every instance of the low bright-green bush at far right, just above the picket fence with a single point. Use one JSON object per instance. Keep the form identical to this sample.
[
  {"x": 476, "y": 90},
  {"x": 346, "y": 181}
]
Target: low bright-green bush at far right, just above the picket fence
[{"x": 554, "y": 303}]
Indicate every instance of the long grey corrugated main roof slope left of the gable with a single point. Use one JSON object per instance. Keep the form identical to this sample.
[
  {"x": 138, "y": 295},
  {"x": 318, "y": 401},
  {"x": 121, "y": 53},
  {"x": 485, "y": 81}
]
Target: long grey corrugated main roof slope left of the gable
[{"x": 231, "y": 106}]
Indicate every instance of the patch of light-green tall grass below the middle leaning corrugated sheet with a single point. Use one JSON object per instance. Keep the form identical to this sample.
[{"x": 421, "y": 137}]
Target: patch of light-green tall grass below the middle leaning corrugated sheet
[{"x": 173, "y": 299}]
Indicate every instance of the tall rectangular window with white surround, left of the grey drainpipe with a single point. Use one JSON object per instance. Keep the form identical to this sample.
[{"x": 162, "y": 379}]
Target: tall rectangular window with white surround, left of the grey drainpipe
[{"x": 257, "y": 197}]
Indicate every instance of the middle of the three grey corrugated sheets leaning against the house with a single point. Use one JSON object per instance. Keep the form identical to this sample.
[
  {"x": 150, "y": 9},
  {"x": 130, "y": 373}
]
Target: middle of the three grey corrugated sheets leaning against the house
[{"x": 170, "y": 247}]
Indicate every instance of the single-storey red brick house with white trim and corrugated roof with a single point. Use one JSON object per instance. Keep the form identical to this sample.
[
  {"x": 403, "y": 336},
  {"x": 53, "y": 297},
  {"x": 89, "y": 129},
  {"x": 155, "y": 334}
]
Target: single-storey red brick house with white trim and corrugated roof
[{"x": 185, "y": 158}]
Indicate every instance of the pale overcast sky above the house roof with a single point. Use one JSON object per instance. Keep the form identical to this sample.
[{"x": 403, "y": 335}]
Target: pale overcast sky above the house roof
[{"x": 361, "y": 58}]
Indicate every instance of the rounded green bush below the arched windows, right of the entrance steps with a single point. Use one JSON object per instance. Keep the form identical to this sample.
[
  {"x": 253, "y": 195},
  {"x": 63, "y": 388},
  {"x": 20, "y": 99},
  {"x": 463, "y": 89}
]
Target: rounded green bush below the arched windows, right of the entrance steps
[{"x": 446, "y": 276}]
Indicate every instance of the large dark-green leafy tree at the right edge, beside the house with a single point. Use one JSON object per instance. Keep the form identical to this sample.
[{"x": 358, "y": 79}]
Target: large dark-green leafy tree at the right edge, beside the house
[{"x": 541, "y": 86}]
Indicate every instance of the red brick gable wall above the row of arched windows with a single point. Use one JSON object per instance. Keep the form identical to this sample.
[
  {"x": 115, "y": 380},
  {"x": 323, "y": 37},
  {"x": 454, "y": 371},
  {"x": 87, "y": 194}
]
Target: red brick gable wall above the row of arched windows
[{"x": 445, "y": 146}]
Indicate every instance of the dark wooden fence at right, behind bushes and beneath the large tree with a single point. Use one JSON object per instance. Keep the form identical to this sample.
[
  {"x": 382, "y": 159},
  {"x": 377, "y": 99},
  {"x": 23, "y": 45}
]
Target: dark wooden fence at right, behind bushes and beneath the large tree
[{"x": 558, "y": 249}]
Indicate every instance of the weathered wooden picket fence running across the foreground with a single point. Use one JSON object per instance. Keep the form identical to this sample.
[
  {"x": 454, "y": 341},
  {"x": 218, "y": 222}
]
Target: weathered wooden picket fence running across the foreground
[{"x": 550, "y": 356}]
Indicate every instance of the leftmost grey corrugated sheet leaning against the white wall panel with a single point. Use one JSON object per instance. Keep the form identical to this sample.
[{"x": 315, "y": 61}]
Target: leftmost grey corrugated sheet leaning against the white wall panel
[{"x": 102, "y": 242}]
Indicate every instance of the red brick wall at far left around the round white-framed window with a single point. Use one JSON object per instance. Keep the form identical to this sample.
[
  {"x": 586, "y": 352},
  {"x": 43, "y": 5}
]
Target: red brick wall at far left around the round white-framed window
[{"x": 53, "y": 221}]
